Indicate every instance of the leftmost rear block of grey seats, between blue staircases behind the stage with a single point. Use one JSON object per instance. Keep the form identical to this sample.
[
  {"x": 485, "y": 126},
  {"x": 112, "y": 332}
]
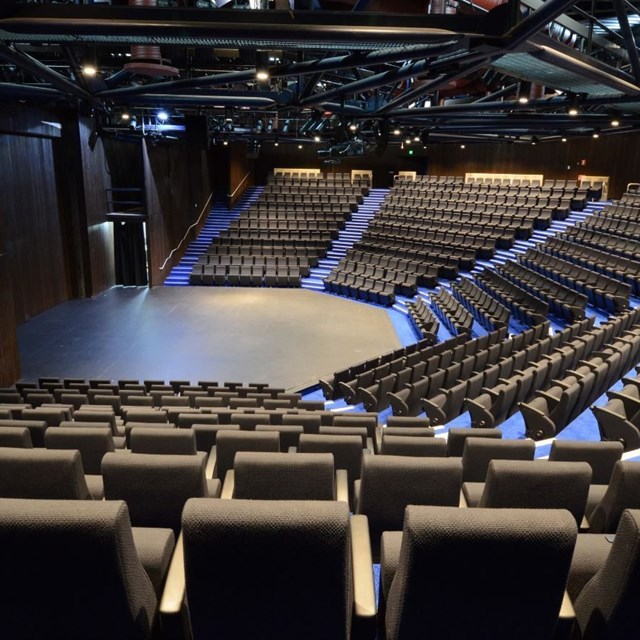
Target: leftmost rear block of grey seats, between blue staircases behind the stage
[{"x": 276, "y": 241}]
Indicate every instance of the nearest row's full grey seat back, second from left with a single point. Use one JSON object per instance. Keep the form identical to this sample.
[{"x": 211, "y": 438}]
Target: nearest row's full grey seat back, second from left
[{"x": 286, "y": 567}]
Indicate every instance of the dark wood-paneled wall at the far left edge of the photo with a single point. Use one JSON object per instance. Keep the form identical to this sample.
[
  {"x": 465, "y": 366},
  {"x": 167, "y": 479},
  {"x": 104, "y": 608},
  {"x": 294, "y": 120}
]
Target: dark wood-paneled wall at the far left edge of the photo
[{"x": 29, "y": 208}]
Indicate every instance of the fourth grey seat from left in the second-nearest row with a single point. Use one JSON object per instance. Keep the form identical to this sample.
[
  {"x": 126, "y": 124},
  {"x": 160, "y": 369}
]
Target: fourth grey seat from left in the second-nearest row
[{"x": 390, "y": 483}]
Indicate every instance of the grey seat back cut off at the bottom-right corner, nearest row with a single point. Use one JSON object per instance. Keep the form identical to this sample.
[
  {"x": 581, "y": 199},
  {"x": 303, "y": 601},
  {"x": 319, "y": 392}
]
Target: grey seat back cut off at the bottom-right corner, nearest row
[{"x": 607, "y": 606}]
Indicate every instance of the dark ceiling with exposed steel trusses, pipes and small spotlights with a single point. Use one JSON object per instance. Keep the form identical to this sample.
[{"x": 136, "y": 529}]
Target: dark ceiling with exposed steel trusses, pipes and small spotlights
[{"x": 350, "y": 76}]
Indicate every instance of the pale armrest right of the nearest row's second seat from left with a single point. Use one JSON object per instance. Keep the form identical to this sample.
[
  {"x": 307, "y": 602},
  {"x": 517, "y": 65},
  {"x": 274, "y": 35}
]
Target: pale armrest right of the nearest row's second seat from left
[{"x": 364, "y": 596}]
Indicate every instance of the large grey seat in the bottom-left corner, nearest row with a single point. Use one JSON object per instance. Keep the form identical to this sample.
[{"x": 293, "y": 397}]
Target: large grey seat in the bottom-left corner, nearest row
[{"x": 75, "y": 573}]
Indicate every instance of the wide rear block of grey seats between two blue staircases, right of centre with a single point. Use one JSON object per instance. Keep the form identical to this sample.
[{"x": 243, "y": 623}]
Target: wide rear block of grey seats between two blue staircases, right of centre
[{"x": 436, "y": 226}]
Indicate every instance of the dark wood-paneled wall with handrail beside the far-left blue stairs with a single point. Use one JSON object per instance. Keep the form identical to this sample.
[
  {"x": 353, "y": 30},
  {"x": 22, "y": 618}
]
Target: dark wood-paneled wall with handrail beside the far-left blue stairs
[{"x": 177, "y": 190}]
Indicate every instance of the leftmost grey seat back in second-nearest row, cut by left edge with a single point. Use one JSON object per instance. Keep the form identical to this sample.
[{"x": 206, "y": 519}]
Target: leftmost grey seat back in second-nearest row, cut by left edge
[{"x": 43, "y": 474}]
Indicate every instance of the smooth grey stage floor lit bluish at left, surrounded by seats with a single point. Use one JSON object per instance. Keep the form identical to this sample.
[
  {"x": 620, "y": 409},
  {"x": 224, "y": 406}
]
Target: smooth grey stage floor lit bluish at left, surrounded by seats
[{"x": 287, "y": 337}]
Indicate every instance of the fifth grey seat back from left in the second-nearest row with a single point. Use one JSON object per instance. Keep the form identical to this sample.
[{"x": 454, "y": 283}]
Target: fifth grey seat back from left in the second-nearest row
[{"x": 537, "y": 484}]
